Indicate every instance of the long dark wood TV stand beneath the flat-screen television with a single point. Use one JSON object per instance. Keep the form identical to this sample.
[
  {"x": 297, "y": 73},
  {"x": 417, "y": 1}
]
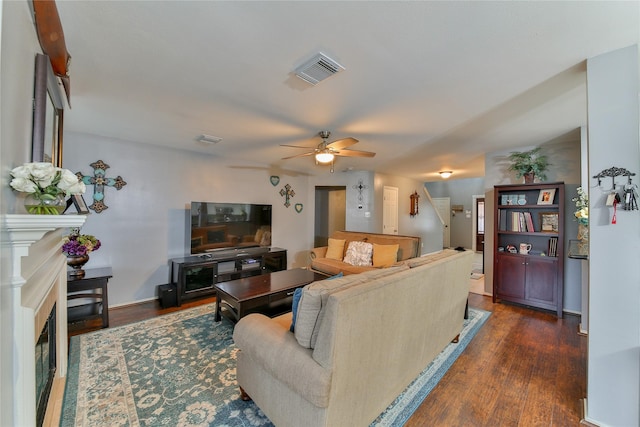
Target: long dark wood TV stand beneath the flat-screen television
[{"x": 195, "y": 276}]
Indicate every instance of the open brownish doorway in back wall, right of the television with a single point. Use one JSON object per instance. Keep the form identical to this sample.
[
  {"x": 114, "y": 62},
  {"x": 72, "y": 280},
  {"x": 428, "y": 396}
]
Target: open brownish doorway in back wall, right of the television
[{"x": 330, "y": 213}]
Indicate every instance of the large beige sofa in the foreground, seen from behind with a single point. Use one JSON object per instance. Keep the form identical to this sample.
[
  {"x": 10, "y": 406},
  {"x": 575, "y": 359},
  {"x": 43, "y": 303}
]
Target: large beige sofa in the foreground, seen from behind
[{"x": 369, "y": 334}]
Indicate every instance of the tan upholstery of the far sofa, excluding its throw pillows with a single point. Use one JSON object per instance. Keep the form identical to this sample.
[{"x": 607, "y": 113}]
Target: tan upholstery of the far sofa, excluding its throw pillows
[{"x": 408, "y": 247}]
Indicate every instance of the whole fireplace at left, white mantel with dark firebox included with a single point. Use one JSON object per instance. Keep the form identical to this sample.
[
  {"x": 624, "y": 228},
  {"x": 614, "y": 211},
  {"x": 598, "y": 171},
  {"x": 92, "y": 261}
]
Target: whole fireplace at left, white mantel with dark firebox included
[{"x": 36, "y": 312}]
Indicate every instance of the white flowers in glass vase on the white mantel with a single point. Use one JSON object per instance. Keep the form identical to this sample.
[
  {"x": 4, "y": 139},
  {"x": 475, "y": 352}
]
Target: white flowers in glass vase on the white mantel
[{"x": 46, "y": 187}]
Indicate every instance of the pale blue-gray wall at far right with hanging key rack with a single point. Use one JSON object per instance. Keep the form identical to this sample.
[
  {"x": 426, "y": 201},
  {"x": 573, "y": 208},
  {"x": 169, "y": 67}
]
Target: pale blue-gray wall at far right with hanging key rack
[{"x": 613, "y": 394}]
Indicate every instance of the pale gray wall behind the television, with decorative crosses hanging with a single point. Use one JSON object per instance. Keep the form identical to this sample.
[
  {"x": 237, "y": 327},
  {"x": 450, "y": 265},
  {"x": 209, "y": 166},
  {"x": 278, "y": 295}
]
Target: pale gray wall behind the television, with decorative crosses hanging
[{"x": 147, "y": 221}]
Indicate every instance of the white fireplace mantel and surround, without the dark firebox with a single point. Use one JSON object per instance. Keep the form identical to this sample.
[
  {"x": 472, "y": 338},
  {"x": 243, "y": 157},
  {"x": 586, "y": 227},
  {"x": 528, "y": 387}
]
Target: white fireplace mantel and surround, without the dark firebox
[{"x": 37, "y": 284}]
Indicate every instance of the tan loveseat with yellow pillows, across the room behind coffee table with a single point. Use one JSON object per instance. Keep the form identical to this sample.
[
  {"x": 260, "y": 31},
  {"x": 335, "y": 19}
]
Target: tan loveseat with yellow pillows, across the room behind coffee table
[{"x": 332, "y": 259}]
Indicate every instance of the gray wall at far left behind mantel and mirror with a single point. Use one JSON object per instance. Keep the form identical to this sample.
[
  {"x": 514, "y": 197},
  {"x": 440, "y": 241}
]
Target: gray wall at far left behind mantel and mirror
[{"x": 18, "y": 48}]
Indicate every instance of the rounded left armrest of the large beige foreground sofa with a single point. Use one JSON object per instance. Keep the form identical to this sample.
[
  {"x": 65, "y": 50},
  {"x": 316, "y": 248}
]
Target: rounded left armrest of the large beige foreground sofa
[{"x": 275, "y": 349}]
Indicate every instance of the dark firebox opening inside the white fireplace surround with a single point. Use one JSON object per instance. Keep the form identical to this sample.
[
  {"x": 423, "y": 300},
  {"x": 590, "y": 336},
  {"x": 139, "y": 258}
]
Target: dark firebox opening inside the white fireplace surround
[{"x": 45, "y": 365}]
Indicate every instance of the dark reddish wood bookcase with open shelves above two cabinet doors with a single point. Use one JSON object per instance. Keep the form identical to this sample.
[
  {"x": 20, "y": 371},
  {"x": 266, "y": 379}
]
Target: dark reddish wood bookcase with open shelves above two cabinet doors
[{"x": 531, "y": 216}]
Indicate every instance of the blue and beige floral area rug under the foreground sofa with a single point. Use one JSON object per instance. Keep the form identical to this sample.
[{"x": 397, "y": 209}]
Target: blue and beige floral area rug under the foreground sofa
[{"x": 179, "y": 370}]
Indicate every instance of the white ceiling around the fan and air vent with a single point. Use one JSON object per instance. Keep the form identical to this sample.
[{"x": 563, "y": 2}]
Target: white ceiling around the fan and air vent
[{"x": 428, "y": 86}]
